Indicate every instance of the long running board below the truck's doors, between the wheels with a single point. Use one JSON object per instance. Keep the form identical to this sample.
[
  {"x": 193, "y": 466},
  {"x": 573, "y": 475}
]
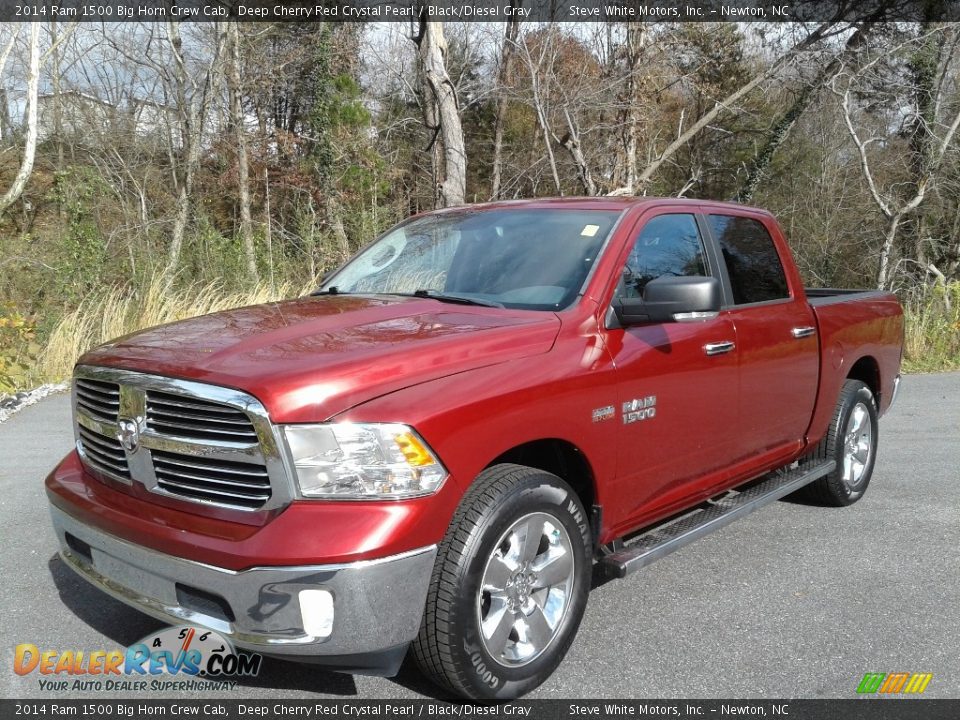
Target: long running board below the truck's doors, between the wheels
[{"x": 715, "y": 514}]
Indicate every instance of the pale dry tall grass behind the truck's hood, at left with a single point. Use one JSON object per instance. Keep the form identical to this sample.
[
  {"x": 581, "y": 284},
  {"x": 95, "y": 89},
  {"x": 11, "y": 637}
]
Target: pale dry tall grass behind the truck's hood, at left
[{"x": 124, "y": 310}]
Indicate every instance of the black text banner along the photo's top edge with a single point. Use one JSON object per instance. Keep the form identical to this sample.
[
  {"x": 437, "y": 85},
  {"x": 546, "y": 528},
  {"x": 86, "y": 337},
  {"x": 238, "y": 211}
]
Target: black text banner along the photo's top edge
[{"x": 480, "y": 11}]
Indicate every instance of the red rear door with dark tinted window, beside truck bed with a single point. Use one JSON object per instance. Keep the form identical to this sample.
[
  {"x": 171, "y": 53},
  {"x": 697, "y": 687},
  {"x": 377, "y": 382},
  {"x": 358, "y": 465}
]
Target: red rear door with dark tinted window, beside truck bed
[{"x": 776, "y": 333}]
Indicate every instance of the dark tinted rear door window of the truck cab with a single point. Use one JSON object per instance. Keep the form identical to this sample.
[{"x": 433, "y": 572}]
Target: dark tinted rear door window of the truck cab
[{"x": 754, "y": 267}]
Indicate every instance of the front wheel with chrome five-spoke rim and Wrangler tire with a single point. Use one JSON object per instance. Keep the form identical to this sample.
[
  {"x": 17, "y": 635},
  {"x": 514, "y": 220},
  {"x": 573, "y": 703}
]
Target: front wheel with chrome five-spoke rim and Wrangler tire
[{"x": 509, "y": 587}]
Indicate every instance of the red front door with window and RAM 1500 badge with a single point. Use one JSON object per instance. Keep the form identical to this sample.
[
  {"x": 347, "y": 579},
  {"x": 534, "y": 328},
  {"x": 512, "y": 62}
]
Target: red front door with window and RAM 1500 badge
[{"x": 677, "y": 381}]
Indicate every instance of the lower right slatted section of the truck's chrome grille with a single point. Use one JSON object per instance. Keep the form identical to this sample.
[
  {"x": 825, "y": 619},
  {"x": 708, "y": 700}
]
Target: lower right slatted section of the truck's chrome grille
[{"x": 243, "y": 484}]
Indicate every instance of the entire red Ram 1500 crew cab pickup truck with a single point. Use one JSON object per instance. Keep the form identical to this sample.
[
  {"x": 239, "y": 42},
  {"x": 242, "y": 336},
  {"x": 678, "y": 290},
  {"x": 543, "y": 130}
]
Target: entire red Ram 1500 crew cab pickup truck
[{"x": 432, "y": 451}]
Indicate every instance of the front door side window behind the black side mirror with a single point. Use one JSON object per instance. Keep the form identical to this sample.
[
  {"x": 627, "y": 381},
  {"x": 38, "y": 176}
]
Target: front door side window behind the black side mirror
[{"x": 667, "y": 245}]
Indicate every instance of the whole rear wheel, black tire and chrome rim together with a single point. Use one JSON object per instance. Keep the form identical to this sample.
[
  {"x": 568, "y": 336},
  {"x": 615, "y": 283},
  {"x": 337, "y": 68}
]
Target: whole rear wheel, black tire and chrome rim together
[{"x": 851, "y": 441}]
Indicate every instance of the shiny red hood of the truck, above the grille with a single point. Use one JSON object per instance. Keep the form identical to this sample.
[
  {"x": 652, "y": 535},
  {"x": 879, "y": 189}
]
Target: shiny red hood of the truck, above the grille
[{"x": 311, "y": 358}]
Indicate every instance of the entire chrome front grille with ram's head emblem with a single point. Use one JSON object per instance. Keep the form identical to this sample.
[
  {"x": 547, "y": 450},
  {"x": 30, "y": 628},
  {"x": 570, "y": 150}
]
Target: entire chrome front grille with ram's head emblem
[{"x": 190, "y": 441}]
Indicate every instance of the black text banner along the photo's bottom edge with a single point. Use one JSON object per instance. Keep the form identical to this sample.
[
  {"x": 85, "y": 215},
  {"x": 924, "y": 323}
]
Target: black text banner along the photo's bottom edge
[{"x": 854, "y": 709}]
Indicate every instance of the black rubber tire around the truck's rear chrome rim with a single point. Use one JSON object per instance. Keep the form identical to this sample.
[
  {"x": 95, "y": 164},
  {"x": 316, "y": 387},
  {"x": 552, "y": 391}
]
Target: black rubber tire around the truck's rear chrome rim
[{"x": 841, "y": 487}]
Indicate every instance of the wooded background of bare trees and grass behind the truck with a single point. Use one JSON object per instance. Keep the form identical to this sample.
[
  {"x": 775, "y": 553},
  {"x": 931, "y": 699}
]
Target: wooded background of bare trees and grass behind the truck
[{"x": 196, "y": 165}]
